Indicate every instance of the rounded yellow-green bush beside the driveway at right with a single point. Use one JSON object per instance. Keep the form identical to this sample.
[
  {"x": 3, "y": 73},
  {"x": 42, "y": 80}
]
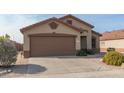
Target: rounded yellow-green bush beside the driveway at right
[{"x": 113, "y": 58}]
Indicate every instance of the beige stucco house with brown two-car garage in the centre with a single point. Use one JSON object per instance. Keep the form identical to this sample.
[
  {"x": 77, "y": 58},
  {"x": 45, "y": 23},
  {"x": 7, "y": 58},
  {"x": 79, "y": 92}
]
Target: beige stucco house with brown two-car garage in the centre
[{"x": 59, "y": 37}]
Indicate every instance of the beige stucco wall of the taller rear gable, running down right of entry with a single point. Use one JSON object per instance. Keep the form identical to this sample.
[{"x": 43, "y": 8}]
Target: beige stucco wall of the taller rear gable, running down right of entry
[{"x": 83, "y": 26}]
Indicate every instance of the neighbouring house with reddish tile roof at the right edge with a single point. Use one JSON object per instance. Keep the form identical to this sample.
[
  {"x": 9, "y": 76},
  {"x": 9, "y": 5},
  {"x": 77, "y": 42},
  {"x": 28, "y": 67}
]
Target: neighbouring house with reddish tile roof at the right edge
[{"x": 114, "y": 39}]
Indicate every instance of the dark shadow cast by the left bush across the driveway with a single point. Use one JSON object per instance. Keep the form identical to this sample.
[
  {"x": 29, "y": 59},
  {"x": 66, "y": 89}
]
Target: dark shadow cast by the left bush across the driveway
[{"x": 23, "y": 69}]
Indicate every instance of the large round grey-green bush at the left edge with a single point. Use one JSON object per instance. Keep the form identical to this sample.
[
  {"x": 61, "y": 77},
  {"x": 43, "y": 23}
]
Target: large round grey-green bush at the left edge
[{"x": 8, "y": 52}]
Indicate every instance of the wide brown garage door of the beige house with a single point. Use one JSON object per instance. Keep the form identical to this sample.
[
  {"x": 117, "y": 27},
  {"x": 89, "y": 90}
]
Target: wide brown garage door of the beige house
[{"x": 52, "y": 45}]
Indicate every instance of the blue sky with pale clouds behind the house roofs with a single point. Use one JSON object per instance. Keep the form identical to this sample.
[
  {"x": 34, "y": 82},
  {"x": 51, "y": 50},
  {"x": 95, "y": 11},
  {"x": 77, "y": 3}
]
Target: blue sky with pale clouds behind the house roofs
[{"x": 11, "y": 23}]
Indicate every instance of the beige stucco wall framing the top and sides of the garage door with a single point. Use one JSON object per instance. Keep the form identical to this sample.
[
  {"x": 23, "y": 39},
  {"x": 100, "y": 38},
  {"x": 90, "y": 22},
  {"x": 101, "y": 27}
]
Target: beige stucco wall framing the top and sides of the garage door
[{"x": 46, "y": 29}]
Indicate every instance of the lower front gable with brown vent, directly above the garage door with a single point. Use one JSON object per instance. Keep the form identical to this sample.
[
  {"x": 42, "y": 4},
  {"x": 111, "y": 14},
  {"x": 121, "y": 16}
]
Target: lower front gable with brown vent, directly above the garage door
[{"x": 46, "y": 28}]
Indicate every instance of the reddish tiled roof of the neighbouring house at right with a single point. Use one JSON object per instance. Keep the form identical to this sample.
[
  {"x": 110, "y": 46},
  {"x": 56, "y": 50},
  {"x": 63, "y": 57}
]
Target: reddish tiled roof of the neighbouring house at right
[{"x": 115, "y": 34}]
